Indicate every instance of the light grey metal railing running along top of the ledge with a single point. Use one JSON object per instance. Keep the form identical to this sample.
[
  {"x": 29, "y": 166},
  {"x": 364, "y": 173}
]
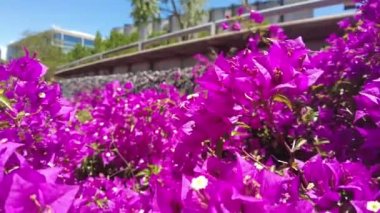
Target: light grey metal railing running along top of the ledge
[{"x": 210, "y": 27}]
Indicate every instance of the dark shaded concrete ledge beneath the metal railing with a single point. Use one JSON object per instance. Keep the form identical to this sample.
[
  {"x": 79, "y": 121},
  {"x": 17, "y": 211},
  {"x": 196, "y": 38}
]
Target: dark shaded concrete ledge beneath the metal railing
[{"x": 314, "y": 32}]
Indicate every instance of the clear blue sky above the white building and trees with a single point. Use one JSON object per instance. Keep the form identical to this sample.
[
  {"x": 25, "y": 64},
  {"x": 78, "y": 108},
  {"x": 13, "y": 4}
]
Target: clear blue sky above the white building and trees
[{"x": 19, "y": 16}]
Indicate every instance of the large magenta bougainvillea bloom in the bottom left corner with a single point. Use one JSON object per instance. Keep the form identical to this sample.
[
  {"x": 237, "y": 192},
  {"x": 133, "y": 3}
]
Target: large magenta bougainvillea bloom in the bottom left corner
[{"x": 29, "y": 190}]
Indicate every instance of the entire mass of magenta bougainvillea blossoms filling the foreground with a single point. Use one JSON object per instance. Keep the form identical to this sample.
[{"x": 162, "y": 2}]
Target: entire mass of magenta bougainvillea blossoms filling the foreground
[{"x": 273, "y": 129}]
